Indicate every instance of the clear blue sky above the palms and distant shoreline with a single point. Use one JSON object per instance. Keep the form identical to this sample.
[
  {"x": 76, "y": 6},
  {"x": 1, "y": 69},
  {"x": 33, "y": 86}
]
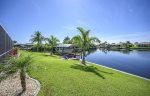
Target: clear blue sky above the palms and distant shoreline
[{"x": 110, "y": 20}]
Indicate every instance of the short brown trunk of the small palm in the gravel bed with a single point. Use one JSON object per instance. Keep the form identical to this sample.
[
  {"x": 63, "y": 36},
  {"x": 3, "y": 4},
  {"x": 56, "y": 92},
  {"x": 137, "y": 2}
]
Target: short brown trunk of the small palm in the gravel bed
[{"x": 23, "y": 80}]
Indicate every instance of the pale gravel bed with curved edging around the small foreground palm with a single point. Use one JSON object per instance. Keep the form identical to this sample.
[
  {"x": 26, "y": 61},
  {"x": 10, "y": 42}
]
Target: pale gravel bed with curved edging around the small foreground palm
[{"x": 12, "y": 86}]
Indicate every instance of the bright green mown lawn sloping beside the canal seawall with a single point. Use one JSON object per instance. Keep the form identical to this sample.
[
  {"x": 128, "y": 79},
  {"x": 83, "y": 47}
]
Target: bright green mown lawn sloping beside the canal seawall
[{"x": 60, "y": 77}]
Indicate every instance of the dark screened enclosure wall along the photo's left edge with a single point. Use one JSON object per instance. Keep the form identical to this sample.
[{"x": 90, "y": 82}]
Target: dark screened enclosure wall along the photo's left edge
[{"x": 6, "y": 43}]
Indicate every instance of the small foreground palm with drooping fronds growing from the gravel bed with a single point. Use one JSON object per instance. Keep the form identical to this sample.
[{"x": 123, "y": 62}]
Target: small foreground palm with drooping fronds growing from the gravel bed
[{"x": 15, "y": 64}]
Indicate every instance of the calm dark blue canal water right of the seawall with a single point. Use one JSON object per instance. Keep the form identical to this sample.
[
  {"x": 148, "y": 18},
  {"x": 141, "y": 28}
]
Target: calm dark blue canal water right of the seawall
[{"x": 134, "y": 62}]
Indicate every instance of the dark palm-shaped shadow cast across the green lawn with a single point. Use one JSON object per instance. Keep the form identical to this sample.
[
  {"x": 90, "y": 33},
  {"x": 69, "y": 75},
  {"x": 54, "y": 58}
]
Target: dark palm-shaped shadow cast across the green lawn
[{"x": 92, "y": 69}]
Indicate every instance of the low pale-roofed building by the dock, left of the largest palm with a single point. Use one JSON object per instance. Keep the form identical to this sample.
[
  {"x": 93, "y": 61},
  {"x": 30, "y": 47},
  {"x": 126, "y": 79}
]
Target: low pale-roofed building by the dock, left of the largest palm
[{"x": 65, "y": 48}]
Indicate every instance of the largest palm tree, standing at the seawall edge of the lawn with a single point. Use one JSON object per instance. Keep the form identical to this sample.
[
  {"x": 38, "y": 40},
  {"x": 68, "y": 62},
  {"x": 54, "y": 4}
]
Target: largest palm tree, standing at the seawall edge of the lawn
[{"x": 84, "y": 41}]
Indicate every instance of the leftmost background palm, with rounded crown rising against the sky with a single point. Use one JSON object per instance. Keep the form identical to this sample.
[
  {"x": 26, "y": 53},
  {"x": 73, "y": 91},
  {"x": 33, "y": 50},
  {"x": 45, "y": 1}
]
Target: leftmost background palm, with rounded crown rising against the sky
[{"x": 37, "y": 38}]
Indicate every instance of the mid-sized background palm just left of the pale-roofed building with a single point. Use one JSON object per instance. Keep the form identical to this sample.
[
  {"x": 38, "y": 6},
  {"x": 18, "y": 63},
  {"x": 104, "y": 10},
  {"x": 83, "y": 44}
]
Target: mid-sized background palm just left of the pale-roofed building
[{"x": 52, "y": 41}]
